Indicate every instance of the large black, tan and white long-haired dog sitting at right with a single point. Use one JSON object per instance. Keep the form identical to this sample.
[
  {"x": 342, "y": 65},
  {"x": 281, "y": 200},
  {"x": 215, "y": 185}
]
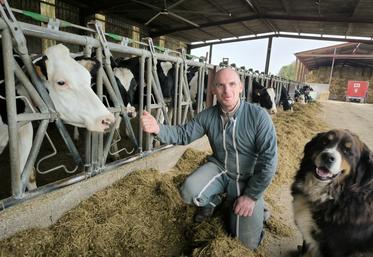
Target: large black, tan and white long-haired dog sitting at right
[{"x": 333, "y": 196}]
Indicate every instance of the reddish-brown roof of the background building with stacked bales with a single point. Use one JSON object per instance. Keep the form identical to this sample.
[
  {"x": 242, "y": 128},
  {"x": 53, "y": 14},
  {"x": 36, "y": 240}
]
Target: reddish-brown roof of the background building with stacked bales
[{"x": 347, "y": 54}]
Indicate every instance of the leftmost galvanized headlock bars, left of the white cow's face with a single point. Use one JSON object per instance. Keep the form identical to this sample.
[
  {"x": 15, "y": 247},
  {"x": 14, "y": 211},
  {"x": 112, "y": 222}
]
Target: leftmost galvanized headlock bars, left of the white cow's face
[{"x": 46, "y": 106}]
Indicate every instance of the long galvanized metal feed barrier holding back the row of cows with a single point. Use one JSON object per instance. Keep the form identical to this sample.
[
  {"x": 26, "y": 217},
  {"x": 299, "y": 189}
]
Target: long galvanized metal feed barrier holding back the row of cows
[{"x": 97, "y": 146}]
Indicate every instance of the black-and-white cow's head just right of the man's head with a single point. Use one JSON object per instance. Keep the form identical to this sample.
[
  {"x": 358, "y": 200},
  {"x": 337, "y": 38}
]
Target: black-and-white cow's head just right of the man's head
[{"x": 265, "y": 97}]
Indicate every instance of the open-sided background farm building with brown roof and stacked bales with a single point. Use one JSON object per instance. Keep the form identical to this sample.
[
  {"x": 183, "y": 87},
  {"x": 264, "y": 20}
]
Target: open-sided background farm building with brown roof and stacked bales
[{"x": 334, "y": 66}]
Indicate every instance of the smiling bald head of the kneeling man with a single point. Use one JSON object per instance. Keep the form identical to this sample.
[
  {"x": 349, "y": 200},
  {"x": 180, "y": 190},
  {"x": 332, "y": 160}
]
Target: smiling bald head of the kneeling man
[{"x": 227, "y": 88}]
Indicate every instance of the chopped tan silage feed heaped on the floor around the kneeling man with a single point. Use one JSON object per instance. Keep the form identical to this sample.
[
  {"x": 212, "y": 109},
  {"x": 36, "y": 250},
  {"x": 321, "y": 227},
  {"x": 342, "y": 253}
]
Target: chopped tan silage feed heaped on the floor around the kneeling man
[{"x": 143, "y": 214}]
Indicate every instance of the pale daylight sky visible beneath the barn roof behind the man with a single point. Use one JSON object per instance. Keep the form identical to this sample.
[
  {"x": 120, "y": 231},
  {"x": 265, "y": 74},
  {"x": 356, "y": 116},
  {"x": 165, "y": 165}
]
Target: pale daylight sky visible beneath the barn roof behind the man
[{"x": 252, "y": 53}]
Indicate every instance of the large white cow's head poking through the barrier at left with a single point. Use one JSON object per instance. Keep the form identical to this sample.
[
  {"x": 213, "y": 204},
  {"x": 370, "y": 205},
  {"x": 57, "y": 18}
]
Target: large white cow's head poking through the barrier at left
[{"x": 69, "y": 86}]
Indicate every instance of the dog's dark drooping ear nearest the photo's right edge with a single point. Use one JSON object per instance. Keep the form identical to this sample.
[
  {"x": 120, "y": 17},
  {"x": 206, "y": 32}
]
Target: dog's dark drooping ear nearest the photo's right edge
[{"x": 363, "y": 180}]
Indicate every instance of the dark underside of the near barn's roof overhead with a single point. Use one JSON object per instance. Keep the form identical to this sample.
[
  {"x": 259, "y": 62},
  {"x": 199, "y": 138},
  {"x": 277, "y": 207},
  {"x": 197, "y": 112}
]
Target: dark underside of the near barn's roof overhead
[{"x": 230, "y": 20}]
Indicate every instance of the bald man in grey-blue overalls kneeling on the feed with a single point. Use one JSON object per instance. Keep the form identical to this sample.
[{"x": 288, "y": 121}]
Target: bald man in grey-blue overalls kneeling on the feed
[{"x": 243, "y": 140}]
